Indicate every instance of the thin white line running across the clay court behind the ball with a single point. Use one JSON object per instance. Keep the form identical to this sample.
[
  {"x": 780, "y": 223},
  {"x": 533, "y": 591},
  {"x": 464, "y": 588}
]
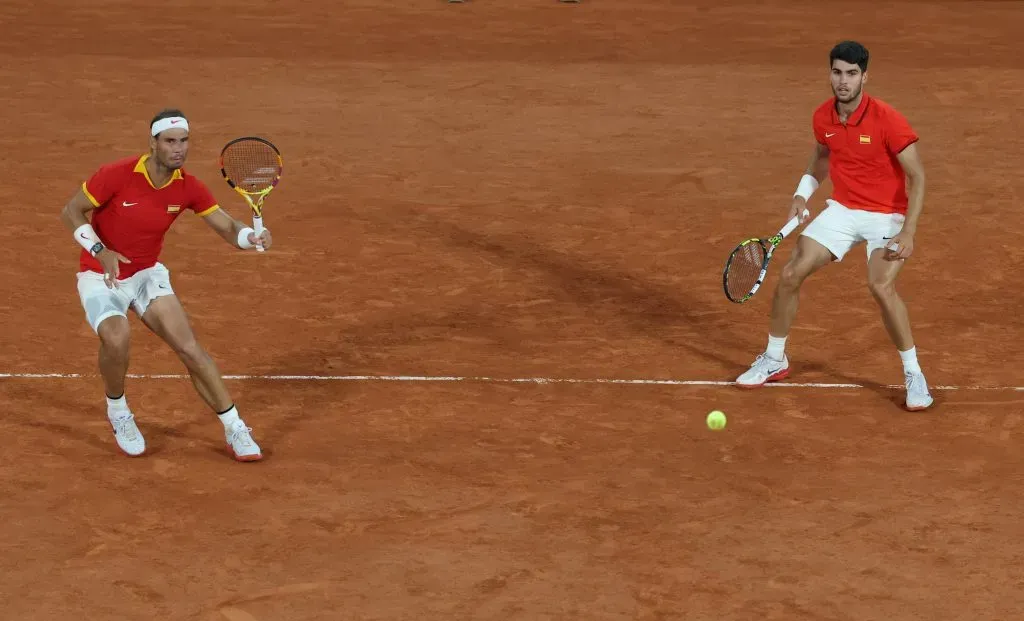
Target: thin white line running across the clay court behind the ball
[{"x": 505, "y": 381}]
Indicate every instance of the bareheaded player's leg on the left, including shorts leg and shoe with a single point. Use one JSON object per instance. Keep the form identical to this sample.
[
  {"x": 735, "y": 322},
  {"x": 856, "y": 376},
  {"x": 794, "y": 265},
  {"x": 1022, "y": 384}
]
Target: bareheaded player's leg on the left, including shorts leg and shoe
[{"x": 827, "y": 239}]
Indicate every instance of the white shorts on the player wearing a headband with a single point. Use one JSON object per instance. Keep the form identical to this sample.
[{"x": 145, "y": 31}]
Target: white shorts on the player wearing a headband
[{"x": 138, "y": 292}]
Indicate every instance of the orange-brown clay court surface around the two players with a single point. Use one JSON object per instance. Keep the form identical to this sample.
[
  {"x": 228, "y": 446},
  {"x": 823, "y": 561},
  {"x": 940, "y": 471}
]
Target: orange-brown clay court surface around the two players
[{"x": 513, "y": 190}]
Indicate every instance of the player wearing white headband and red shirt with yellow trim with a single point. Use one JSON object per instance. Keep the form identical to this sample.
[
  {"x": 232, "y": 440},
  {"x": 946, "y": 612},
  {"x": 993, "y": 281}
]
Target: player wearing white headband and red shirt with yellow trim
[{"x": 134, "y": 203}]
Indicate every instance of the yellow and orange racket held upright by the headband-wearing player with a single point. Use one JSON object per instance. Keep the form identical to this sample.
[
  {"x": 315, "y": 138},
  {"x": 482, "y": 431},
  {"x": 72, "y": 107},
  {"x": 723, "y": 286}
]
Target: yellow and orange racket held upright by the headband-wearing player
[{"x": 252, "y": 167}]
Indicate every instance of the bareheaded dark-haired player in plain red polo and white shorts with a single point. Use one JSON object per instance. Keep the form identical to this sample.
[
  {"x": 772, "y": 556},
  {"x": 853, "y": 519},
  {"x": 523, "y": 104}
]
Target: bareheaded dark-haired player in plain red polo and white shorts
[{"x": 870, "y": 151}]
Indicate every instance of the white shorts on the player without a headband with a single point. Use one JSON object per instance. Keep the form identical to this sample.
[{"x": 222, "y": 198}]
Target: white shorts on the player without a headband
[{"x": 839, "y": 229}]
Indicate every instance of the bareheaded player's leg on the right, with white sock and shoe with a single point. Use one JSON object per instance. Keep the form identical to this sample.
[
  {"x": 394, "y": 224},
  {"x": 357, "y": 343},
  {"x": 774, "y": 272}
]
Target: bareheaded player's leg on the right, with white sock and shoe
[{"x": 882, "y": 275}]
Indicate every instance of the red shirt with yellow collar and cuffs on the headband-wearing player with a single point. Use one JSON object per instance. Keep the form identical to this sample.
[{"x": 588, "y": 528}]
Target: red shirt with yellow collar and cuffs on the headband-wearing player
[{"x": 133, "y": 216}]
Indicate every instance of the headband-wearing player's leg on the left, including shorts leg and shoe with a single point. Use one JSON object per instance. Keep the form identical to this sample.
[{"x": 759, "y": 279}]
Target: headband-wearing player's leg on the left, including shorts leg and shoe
[{"x": 106, "y": 310}]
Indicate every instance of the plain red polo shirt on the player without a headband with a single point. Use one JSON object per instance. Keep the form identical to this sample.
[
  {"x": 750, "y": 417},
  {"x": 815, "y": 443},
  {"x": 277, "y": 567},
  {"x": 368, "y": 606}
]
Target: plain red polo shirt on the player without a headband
[{"x": 863, "y": 163}]
